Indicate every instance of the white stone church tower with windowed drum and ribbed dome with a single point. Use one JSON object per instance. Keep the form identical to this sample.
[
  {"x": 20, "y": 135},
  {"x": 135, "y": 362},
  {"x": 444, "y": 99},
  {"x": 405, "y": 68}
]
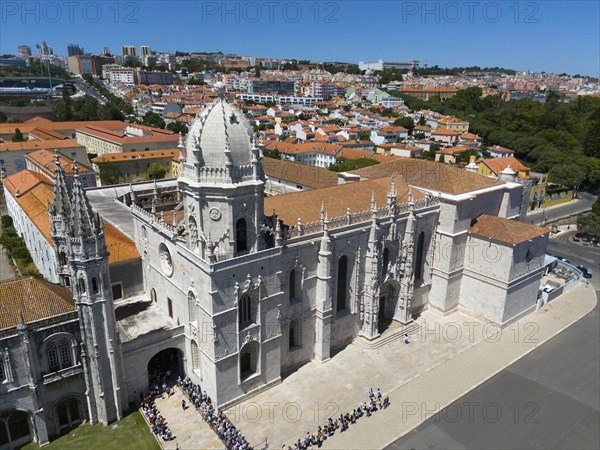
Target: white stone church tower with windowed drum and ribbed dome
[{"x": 222, "y": 182}]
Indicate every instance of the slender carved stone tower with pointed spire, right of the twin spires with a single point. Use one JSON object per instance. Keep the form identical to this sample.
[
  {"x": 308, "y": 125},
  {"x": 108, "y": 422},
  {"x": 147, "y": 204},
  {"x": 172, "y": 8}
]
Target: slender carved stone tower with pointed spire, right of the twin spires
[{"x": 88, "y": 265}]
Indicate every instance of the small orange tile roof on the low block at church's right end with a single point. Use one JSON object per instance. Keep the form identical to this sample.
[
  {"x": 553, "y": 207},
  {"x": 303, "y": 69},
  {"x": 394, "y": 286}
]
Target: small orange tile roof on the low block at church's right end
[{"x": 505, "y": 230}]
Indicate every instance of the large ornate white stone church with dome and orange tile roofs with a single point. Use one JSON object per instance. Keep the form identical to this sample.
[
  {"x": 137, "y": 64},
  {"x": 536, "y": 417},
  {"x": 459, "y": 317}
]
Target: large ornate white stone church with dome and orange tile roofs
[{"x": 233, "y": 289}]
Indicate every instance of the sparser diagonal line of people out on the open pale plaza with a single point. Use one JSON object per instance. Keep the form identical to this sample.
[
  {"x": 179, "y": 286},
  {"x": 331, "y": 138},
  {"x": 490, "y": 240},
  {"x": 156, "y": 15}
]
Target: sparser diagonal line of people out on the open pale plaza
[{"x": 375, "y": 403}]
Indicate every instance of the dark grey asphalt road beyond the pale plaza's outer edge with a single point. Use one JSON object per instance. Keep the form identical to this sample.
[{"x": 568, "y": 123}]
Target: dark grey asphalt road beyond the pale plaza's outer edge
[{"x": 548, "y": 399}]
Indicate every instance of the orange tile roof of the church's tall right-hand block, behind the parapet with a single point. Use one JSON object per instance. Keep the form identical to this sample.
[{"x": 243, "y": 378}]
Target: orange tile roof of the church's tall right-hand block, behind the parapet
[{"x": 430, "y": 175}]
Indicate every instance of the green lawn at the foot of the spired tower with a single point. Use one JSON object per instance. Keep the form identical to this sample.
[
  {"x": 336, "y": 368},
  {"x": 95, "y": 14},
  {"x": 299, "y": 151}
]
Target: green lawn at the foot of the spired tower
[{"x": 130, "y": 433}]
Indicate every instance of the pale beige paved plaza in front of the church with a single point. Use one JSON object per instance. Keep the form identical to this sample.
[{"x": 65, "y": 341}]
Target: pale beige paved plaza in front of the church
[{"x": 447, "y": 357}]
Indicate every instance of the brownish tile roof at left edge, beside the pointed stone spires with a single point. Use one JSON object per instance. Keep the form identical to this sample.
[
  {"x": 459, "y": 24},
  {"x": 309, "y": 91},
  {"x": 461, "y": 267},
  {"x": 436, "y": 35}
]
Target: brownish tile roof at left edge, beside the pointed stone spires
[{"x": 32, "y": 299}]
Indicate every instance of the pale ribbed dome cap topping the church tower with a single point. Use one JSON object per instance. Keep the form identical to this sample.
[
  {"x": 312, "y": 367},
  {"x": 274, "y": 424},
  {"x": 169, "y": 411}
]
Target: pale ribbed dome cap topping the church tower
[{"x": 219, "y": 135}]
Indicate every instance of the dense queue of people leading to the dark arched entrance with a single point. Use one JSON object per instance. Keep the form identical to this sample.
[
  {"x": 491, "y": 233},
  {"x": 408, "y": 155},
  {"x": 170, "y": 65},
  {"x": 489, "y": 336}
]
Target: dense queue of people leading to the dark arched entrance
[{"x": 227, "y": 432}]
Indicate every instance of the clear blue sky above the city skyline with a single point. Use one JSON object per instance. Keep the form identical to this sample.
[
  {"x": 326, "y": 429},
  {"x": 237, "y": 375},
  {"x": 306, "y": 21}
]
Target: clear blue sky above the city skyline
[{"x": 552, "y": 36}]
